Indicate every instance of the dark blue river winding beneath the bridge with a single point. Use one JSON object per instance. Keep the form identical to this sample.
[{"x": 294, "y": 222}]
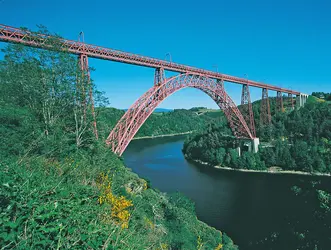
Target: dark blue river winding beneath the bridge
[{"x": 247, "y": 206}]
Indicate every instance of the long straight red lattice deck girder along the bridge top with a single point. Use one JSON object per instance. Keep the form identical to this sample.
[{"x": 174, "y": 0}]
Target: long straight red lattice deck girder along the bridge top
[{"x": 21, "y": 36}]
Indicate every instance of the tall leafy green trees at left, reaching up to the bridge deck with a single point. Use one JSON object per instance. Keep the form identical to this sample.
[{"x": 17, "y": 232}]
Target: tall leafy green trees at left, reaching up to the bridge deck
[{"x": 51, "y": 86}]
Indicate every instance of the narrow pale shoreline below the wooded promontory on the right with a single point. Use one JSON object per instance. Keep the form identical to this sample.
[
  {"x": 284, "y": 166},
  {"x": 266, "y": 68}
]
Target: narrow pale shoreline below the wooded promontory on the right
[{"x": 270, "y": 170}]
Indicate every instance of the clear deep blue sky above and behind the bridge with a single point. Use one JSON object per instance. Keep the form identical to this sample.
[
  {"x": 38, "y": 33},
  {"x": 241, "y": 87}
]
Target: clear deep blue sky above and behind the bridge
[{"x": 285, "y": 43}]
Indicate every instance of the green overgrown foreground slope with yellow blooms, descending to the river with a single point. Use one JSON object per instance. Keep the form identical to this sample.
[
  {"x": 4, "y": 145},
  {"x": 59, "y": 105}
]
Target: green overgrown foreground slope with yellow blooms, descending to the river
[{"x": 68, "y": 203}]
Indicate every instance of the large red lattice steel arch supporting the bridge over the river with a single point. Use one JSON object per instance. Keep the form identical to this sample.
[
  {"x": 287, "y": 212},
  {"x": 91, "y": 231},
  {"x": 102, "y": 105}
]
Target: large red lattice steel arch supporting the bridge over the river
[{"x": 136, "y": 115}]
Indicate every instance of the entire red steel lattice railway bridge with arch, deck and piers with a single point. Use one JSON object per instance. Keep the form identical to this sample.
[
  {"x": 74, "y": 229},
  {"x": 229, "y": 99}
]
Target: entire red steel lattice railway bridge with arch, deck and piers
[{"x": 212, "y": 83}]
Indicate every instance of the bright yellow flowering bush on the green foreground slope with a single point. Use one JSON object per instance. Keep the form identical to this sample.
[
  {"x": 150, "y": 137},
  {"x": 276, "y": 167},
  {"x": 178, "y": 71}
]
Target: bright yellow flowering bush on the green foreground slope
[{"x": 119, "y": 205}]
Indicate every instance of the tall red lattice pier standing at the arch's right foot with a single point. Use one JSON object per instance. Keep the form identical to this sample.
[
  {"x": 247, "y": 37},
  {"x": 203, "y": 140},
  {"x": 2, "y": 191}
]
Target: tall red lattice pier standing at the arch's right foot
[{"x": 246, "y": 108}]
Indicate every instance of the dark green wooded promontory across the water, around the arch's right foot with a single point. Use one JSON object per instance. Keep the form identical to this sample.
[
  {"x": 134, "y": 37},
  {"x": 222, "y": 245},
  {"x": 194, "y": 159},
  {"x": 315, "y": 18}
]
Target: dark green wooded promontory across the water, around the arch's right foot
[{"x": 298, "y": 140}]
